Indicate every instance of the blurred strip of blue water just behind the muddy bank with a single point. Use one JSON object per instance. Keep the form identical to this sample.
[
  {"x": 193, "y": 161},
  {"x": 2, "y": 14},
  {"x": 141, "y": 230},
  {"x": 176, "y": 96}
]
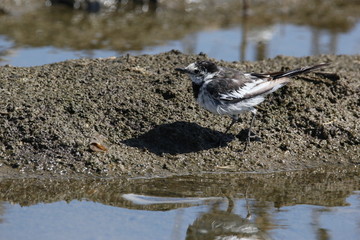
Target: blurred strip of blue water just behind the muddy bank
[{"x": 222, "y": 44}]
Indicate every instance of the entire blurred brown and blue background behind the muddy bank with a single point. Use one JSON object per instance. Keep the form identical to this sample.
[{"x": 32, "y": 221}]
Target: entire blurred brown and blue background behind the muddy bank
[{"x": 36, "y": 32}]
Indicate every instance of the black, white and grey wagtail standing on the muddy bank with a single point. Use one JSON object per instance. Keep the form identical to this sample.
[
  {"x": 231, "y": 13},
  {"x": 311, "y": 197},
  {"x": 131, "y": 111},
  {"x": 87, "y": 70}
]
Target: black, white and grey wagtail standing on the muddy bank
[{"x": 227, "y": 91}]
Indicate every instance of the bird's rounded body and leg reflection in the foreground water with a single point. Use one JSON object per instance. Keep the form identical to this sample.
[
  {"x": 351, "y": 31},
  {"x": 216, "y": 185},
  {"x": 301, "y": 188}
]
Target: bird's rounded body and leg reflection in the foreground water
[{"x": 220, "y": 224}]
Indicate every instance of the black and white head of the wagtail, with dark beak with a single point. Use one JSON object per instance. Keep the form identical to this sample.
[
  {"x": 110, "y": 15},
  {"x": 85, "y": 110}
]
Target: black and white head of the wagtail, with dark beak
[{"x": 199, "y": 71}]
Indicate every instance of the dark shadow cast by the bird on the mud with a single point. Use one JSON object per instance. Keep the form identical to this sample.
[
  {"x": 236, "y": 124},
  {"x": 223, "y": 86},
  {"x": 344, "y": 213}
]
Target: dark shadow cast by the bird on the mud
[{"x": 179, "y": 137}]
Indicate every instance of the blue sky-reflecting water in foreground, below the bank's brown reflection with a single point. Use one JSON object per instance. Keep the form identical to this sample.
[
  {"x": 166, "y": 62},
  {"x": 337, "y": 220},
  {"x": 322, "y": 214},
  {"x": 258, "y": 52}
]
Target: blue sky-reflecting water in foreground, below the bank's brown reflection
[{"x": 207, "y": 220}]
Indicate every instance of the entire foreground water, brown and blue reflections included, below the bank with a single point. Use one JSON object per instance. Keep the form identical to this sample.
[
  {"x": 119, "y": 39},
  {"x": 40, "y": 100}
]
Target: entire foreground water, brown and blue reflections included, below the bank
[{"x": 297, "y": 205}]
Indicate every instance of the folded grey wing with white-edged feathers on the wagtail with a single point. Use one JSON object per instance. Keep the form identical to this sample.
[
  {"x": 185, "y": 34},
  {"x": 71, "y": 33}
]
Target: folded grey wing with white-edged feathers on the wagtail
[{"x": 236, "y": 86}]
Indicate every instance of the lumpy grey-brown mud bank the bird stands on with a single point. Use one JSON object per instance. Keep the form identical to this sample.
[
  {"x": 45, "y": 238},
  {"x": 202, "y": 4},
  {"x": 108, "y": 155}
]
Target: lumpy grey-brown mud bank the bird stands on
[{"x": 135, "y": 116}]
